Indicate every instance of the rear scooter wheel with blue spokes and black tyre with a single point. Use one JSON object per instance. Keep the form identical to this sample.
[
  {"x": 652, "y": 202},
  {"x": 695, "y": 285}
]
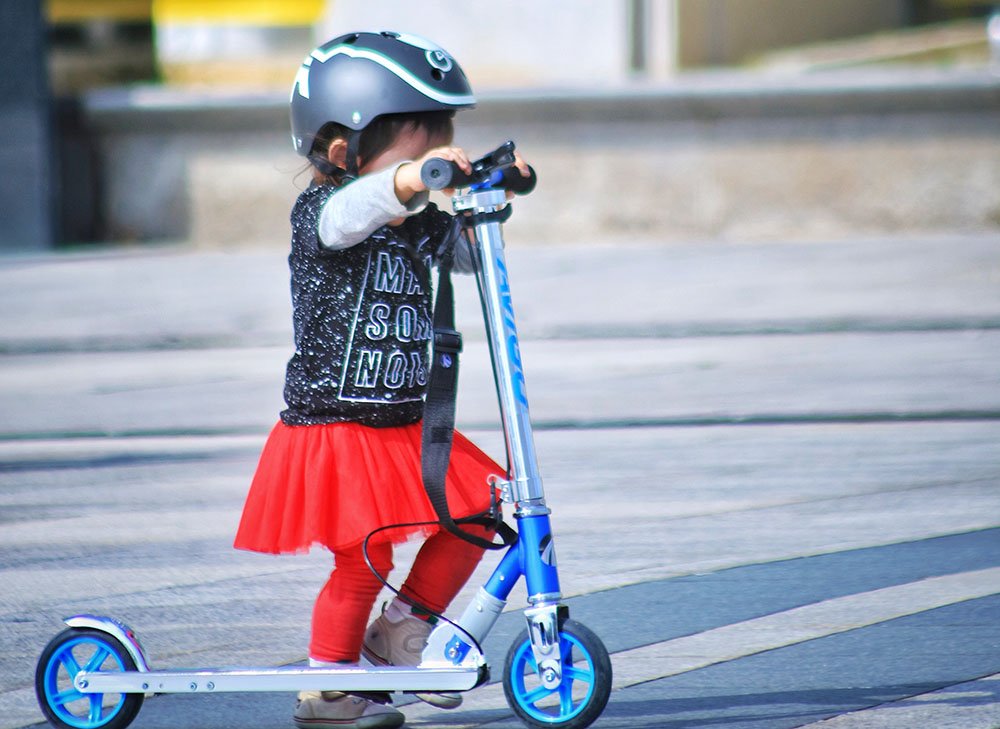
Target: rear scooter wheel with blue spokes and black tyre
[{"x": 72, "y": 651}]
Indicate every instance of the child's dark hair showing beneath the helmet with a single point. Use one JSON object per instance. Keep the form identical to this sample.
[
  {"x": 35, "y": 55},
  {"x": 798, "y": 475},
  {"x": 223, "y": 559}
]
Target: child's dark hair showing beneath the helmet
[{"x": 377, "y": 137}]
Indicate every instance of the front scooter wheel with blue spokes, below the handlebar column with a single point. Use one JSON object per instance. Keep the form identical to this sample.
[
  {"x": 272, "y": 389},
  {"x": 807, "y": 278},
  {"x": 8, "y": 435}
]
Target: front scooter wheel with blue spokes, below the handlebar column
[{"x": 580, "y": 696}]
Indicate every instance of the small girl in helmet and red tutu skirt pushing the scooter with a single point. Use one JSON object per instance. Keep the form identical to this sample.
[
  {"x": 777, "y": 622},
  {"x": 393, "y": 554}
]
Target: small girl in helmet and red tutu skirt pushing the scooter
[{"x": 367, "y": 109}]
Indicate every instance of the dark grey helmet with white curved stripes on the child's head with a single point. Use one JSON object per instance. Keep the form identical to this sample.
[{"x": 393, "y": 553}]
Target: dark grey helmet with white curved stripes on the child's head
[{"x": 356, "y": 77}]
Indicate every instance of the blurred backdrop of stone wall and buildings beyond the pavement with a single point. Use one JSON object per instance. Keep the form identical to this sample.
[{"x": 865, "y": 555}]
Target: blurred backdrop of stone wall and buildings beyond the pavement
[{"x": 131, "y": 121}]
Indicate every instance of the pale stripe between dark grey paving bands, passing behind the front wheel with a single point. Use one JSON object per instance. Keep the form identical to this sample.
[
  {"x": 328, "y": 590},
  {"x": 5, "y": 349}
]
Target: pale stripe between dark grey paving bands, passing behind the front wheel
[{"x": 757, "y": 635}]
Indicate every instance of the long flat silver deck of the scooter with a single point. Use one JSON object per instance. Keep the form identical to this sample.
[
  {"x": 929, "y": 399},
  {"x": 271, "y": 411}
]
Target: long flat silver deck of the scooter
[{"x": 285, "y": 678}]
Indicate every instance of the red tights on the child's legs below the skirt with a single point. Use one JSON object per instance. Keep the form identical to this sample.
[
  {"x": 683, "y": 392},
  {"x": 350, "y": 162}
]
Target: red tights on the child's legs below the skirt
[{"x": 443, "y": 564}]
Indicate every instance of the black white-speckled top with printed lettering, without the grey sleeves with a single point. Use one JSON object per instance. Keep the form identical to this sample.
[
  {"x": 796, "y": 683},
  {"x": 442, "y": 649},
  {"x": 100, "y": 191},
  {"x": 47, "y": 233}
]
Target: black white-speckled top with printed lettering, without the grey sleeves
[{"x": 362, "y": 320}]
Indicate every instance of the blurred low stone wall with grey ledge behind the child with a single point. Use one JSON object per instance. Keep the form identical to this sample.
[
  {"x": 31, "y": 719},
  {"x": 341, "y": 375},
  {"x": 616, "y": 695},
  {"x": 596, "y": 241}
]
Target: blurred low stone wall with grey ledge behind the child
[{"x": 725, "y": 158}]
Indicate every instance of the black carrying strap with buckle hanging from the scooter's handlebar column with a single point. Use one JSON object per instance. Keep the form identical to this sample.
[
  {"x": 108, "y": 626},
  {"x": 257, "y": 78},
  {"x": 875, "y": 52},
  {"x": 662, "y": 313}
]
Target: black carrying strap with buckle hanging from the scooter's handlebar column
[{"x": 439, "y": 407}]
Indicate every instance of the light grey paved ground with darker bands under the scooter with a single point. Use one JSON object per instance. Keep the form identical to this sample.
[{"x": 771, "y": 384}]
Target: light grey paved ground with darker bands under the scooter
[{"x": 773, "y": 469}]
